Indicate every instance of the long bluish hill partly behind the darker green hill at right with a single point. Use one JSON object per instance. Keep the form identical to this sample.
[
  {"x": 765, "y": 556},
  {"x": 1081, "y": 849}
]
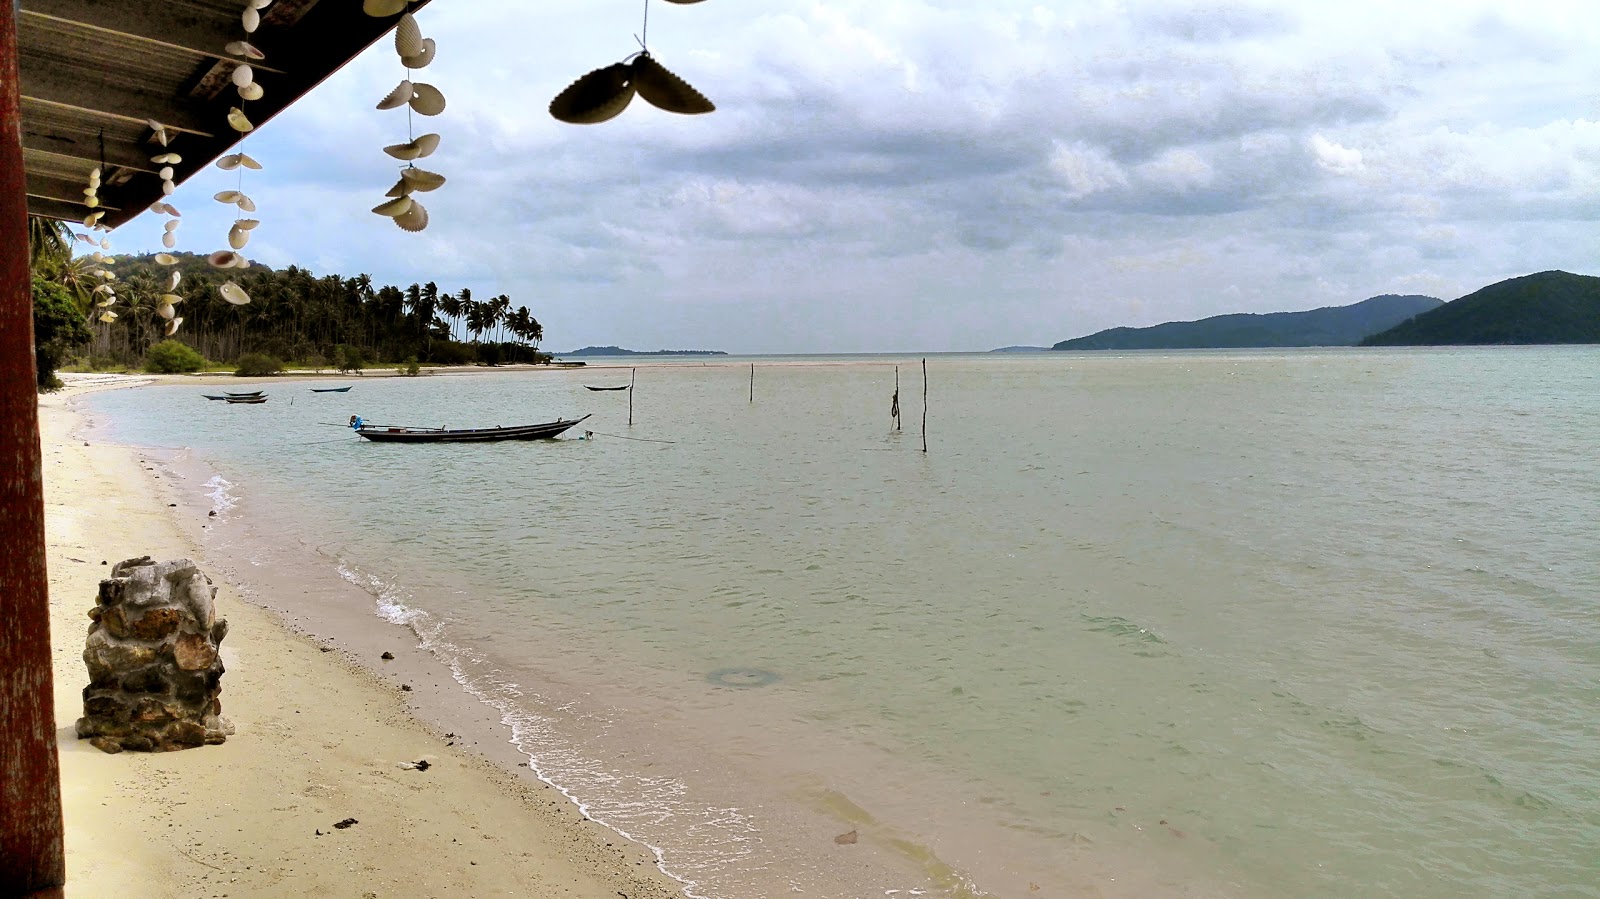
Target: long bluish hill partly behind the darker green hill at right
[{"x": 1327, "y": 327}]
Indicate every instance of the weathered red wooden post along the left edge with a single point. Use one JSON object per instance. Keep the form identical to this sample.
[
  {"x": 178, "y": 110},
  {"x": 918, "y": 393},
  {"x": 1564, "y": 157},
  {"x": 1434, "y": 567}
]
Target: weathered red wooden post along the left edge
[{"x": 31, "y": 852}]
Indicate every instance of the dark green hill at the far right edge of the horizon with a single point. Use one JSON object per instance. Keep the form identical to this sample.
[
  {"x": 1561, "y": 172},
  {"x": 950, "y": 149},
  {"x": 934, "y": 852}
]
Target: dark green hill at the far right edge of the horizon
[{"x": 1551, "y": 308}]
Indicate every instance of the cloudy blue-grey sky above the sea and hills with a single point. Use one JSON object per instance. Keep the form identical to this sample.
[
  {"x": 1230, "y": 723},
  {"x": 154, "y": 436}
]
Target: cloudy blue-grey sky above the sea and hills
[{"x": 950, "y": 175}]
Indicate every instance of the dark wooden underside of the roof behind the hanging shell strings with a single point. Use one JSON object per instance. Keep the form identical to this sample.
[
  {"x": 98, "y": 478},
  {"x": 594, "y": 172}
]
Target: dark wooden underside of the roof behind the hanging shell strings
[{"x": 95, "y": 73}]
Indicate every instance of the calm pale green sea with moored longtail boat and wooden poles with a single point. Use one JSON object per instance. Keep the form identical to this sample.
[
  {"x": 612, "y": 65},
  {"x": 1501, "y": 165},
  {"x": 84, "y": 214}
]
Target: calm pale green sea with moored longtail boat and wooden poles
[{"x": 1268, "y": 623}]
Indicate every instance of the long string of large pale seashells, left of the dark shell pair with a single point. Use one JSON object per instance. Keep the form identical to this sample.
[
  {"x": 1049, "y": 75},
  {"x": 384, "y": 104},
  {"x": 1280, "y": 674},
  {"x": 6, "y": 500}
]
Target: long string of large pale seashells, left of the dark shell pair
[{"x": 420, "y": 98}]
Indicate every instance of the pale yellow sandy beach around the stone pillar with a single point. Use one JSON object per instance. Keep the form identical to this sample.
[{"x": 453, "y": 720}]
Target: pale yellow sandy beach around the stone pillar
[{"x": 321, "y": 740}]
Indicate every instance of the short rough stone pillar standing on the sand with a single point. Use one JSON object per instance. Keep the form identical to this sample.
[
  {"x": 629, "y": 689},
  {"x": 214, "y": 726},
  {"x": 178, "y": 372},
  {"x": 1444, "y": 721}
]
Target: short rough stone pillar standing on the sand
[{"x": 153, "y": 655}]
